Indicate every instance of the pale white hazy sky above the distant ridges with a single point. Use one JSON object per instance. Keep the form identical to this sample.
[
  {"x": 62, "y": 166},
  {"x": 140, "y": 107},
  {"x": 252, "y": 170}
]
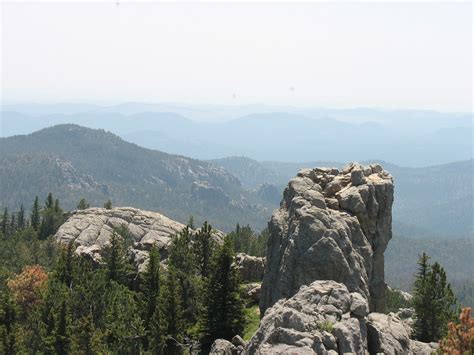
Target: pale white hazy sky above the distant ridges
[{"x": 405, "y": 55}]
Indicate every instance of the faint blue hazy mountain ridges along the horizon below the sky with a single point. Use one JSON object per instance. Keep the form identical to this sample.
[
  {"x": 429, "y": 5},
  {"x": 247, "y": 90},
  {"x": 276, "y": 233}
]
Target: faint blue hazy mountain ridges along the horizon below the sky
[{"x": 407, "y": 138}]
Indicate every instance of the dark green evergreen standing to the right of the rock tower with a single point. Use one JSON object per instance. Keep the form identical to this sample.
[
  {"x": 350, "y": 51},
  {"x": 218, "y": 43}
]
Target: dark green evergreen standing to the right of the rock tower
[{"x": 433, "y": 301}]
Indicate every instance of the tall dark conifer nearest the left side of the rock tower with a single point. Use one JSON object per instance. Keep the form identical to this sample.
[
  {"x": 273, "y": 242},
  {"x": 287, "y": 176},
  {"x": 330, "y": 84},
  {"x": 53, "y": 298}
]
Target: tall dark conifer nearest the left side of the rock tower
[{"x": 224, "y": 312}]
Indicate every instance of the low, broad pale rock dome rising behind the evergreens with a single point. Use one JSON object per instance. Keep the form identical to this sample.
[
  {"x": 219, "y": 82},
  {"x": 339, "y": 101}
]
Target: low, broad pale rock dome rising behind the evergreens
[{"x": 91, "y": 230}]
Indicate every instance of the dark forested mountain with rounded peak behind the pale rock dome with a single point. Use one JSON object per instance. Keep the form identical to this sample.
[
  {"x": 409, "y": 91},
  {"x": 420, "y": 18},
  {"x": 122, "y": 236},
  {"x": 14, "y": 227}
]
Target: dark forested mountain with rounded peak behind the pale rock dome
[{"x": 75, "y": 162}]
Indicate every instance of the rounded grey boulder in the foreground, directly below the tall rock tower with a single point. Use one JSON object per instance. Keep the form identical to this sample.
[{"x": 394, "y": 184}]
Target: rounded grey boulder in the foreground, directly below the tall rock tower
[{"x": 321, "y": 318}]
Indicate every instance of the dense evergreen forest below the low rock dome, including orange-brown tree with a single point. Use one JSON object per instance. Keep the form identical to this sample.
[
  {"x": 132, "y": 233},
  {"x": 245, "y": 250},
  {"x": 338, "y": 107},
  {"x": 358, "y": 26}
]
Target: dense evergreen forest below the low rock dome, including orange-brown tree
[{"x": 54, "y": 302}]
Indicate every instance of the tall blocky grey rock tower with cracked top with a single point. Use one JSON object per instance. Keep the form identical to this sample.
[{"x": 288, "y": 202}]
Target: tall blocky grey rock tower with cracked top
[{"x": 332, "y": 225}]
